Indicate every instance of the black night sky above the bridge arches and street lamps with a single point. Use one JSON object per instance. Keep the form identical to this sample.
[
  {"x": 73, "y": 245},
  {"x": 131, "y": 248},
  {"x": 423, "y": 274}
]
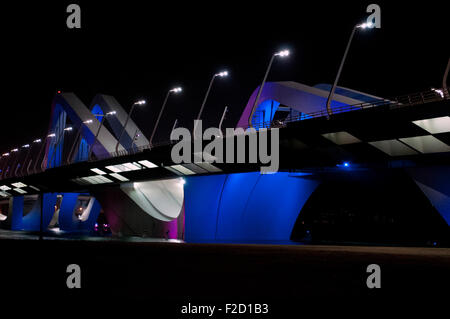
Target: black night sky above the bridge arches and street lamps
[{"x": 131, "y": 50}]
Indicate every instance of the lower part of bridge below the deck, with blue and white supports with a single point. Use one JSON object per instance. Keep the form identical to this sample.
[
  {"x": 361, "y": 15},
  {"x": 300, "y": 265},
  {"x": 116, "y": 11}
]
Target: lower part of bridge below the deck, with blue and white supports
[{"x": 384, "y": 205}]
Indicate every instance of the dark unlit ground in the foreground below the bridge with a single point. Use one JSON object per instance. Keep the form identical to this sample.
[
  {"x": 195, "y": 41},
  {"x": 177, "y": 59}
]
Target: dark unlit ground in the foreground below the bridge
[{"x": 161, "y": 277}]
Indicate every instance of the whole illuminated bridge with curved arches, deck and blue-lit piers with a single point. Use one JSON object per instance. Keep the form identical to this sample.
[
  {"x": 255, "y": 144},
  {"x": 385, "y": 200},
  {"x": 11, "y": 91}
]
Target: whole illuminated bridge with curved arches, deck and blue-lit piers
[{"x": 370, "y": 168}]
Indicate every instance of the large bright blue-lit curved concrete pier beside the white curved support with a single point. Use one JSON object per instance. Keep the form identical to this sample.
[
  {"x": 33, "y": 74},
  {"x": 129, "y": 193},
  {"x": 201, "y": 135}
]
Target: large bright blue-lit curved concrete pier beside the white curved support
[{"x": 245, "y": 206}]
